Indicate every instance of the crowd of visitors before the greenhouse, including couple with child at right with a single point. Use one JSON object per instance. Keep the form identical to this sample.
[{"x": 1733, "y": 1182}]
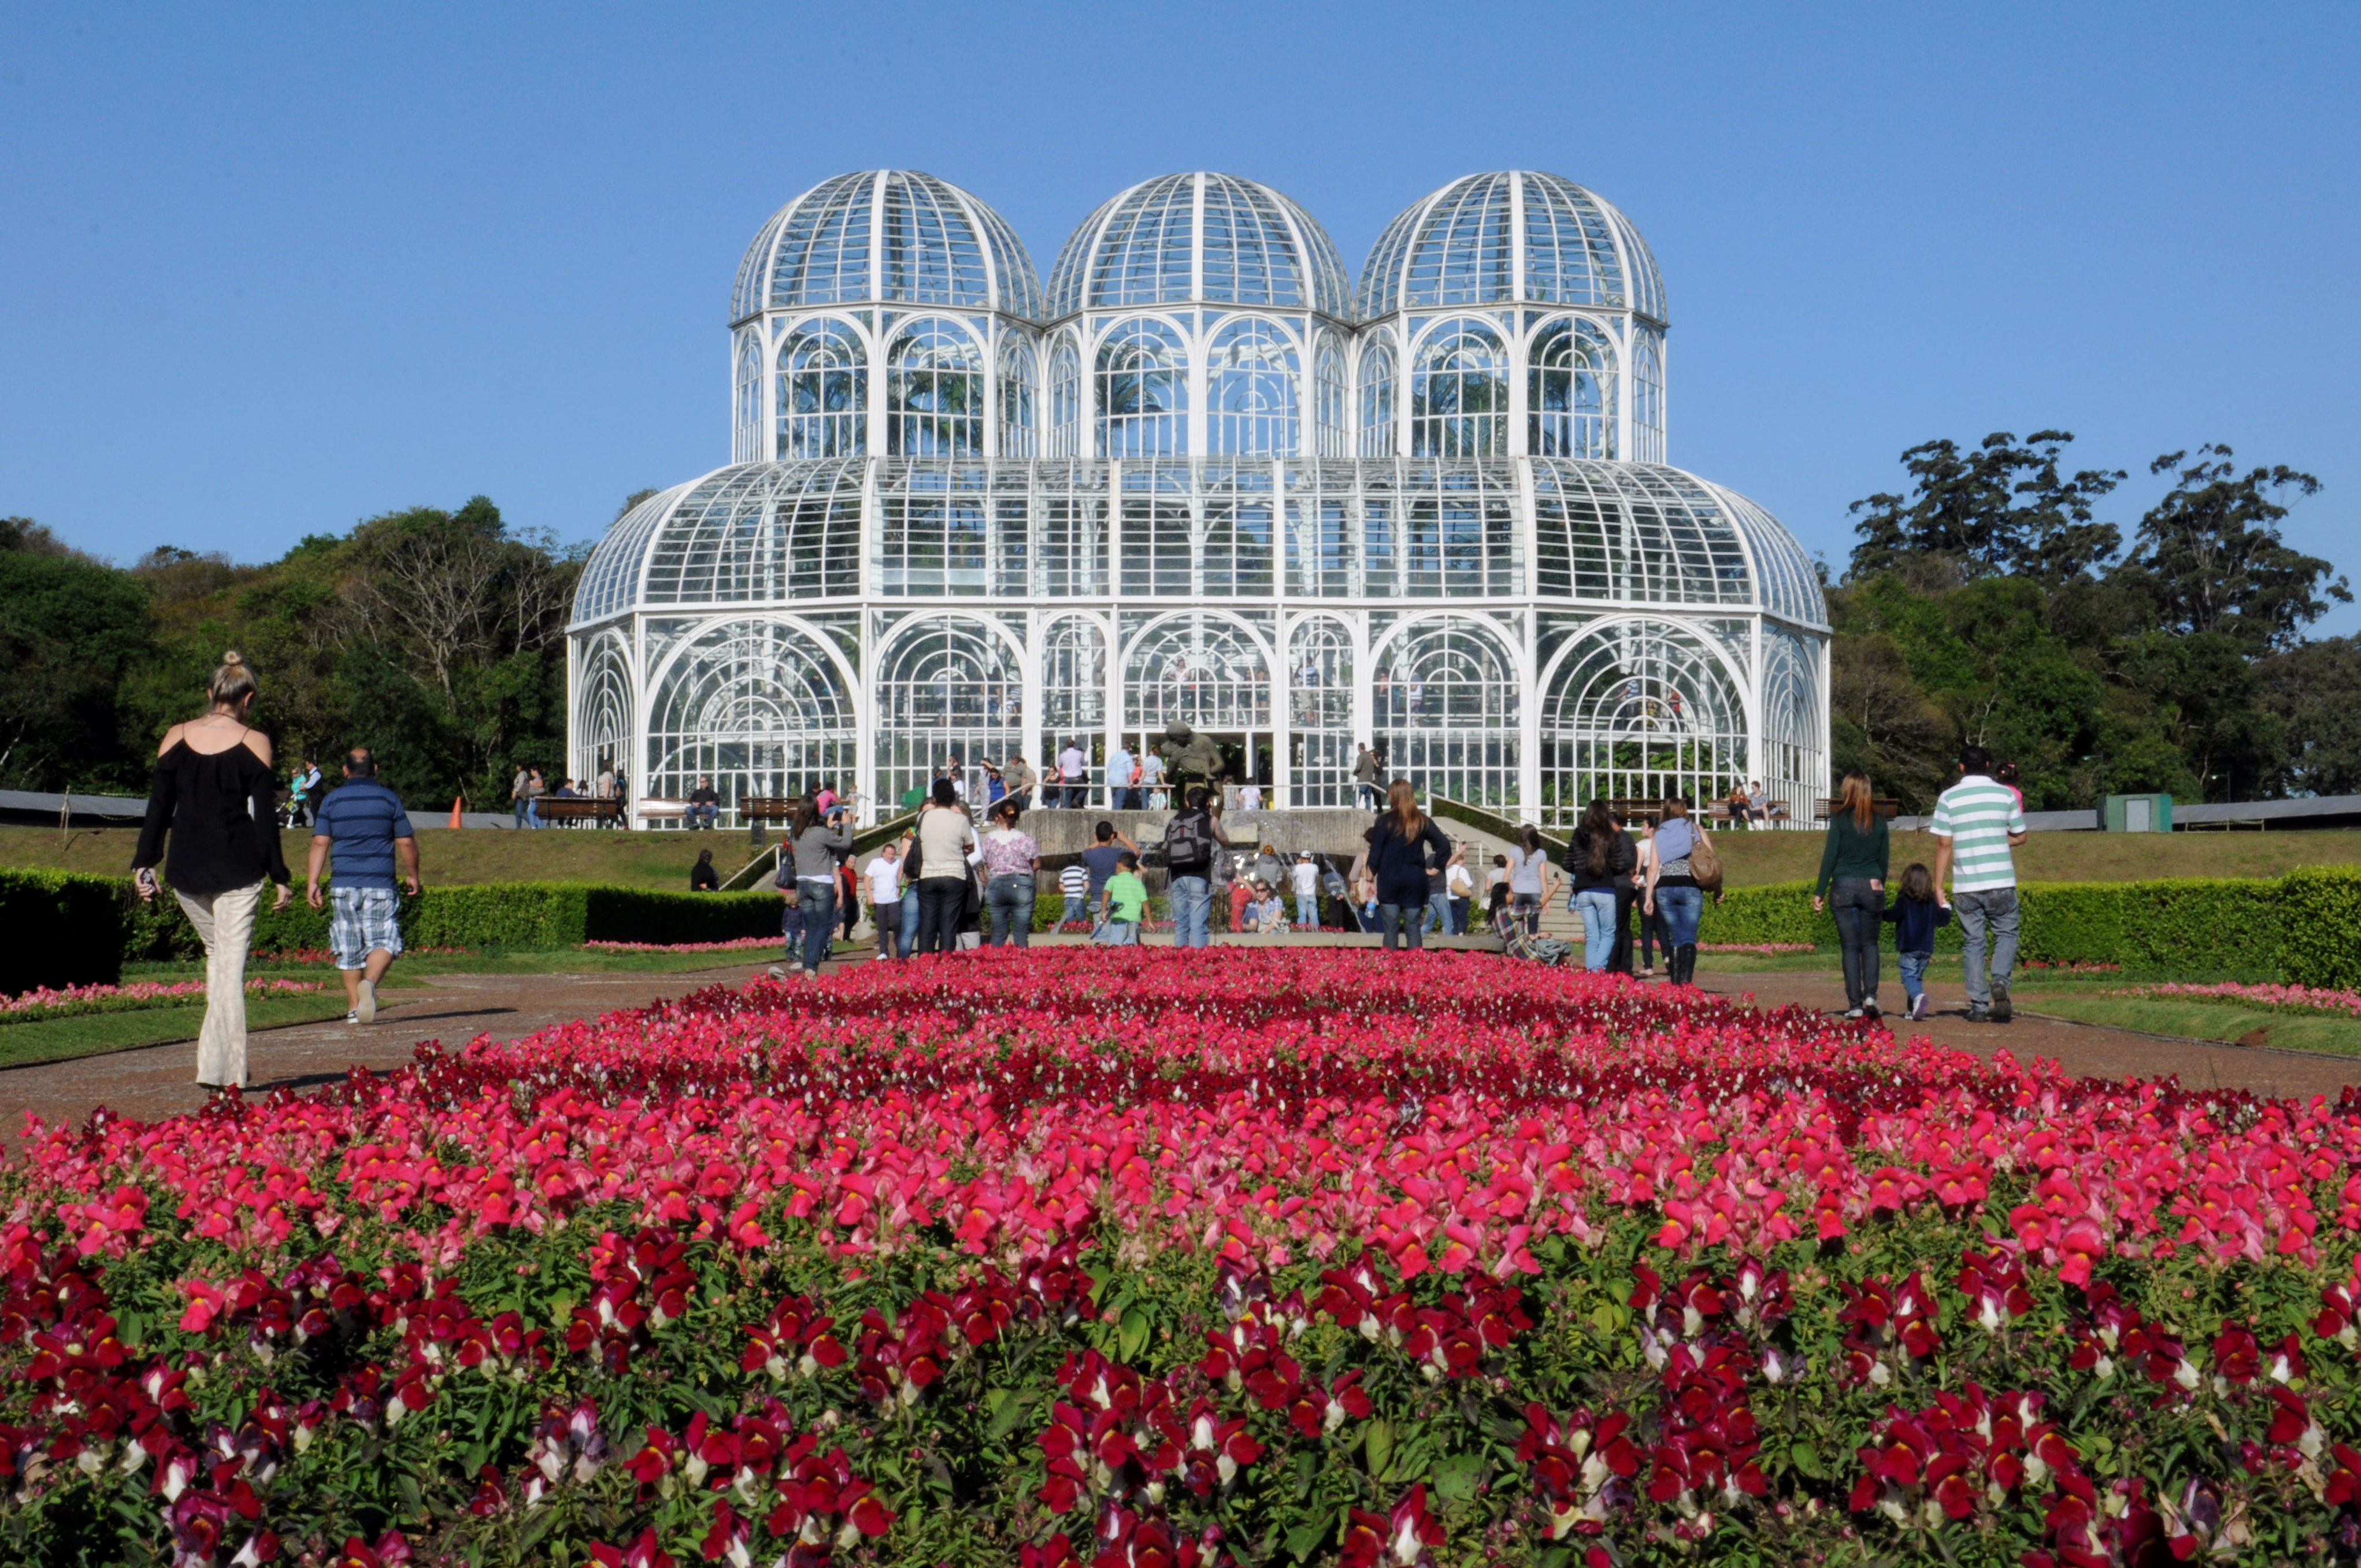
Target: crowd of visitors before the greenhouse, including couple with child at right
[{"x": 1637, "y": 877}]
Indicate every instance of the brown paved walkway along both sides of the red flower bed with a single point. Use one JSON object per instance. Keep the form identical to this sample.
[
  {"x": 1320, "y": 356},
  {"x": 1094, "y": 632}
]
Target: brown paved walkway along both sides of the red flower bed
[{"x": 157, "y": 1080}]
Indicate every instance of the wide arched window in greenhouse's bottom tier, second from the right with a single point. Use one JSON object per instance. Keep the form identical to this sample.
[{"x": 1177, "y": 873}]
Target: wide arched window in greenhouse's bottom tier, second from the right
[{"x": 1640, "y": 712}]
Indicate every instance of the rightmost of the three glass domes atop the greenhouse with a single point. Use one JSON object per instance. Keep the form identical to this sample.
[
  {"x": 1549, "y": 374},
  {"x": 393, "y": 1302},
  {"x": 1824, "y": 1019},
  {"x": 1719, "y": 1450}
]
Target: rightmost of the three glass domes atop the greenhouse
[{"x": 1512, "y": 237}]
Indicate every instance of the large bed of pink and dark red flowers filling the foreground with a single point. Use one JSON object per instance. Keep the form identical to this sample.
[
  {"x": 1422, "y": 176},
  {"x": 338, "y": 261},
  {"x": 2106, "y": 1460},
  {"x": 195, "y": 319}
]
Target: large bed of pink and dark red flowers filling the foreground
[{"x": 1149, "y": 1257}]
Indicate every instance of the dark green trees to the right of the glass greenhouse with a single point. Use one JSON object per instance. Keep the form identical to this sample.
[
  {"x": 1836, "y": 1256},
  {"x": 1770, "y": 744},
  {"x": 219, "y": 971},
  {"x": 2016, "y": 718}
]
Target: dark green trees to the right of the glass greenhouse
[{"x": 1992, "y": 603}]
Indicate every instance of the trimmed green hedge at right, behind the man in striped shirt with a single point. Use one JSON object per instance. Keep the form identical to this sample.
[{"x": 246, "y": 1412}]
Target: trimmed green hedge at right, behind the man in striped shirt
[{"x": 2296, "y": 929}]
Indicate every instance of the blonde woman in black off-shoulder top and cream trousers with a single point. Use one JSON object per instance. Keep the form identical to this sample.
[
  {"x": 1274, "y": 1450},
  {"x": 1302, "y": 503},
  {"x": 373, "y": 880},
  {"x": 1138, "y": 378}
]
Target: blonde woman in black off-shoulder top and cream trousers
[{"x": 216, "y": 795}]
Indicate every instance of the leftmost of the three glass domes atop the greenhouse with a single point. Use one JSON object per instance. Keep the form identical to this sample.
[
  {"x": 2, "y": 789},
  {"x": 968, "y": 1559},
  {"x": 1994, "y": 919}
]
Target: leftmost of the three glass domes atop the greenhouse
[{"x": 894, "y": 237}]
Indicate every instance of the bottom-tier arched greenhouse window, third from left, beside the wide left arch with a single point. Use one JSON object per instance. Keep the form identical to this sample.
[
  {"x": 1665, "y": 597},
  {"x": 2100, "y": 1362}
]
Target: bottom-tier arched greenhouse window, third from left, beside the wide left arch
[{"x": 948, "y": 688}]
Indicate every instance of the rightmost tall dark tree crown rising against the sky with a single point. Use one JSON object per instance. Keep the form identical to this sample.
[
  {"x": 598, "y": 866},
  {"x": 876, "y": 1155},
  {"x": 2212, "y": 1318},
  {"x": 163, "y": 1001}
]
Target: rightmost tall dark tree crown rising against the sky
[{"x": 2211, "y": 556}]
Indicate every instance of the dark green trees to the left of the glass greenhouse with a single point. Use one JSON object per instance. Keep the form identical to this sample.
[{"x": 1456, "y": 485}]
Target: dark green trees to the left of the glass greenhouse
[{"x": 431, "y": 636}]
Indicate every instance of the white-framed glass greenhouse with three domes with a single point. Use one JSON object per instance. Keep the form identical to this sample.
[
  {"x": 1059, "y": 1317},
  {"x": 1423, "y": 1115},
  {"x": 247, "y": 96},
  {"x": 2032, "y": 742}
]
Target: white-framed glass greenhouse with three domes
[{"x": 1205, "y": 481}]
